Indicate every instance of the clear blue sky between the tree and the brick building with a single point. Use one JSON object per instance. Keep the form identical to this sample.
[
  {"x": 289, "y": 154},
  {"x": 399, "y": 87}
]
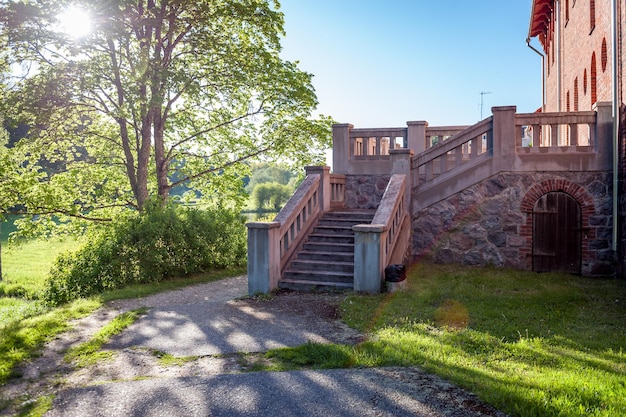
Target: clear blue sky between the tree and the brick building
[{"x": 381, "y": 63}]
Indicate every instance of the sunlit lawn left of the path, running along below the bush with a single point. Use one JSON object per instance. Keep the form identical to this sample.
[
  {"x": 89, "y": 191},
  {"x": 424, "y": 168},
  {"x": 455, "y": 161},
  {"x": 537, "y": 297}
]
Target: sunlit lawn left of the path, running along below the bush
[{"x": 25, "y": 323}]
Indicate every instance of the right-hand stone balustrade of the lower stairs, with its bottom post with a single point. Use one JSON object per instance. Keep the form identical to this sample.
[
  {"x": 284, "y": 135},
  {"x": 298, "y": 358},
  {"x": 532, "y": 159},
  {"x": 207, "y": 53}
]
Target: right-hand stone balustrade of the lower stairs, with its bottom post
[{"x": 386, "y": 238}]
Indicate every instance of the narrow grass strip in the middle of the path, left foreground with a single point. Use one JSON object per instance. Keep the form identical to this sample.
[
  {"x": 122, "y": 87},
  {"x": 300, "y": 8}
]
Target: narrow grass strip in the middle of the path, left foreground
[{"x": 89, "y": 352}]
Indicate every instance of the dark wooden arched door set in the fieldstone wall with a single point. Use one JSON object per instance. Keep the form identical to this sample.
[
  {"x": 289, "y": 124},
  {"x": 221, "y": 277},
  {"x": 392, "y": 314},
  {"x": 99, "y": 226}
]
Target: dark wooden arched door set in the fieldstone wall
[{"x": 557, "y": 234}]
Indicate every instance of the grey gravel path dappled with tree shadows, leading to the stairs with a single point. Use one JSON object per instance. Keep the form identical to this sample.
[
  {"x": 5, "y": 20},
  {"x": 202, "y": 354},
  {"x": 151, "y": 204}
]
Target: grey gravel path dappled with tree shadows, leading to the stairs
[{"x": 216, "y": 324}]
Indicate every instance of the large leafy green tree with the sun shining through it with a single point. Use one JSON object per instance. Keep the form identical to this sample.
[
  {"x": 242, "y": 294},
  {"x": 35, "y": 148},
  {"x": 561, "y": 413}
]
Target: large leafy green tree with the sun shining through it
[{"x": 158, "y": 94}]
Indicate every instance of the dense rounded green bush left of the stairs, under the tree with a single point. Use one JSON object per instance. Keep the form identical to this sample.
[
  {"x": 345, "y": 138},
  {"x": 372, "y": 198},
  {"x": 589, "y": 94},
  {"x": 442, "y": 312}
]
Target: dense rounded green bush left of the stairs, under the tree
[{"x": 158, "y": 244}]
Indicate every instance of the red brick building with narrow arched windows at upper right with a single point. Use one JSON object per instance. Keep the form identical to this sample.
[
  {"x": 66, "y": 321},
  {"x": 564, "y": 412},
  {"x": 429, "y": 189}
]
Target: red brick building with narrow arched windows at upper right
[{"x": 584, "y": 63}]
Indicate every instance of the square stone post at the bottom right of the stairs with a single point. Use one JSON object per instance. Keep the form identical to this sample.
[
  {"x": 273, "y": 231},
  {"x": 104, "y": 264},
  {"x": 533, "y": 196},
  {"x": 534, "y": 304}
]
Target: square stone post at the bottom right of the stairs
[{"x": 368, "y": 258}]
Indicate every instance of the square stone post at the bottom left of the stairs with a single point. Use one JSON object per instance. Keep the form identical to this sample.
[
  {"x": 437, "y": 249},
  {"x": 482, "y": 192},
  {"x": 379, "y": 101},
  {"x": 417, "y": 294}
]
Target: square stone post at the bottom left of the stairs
[{"x": 263, "y": 257}]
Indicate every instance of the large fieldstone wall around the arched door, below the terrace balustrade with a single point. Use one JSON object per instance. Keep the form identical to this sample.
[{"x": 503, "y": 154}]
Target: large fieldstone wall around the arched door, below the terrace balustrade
[{"x": 491, "y": 223}]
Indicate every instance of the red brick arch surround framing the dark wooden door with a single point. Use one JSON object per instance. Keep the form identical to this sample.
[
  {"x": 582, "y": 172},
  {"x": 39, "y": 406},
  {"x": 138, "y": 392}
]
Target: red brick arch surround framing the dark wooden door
[{"x": 578, "y": 193}]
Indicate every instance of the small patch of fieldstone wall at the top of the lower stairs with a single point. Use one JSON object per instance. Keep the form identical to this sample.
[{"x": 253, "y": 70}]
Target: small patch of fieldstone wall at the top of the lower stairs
[{"x": 365, "y": 191}]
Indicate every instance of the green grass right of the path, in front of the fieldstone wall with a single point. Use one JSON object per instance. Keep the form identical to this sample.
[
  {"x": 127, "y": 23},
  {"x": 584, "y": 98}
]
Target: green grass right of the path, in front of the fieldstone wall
[{"x": 529, "y": 344}]
